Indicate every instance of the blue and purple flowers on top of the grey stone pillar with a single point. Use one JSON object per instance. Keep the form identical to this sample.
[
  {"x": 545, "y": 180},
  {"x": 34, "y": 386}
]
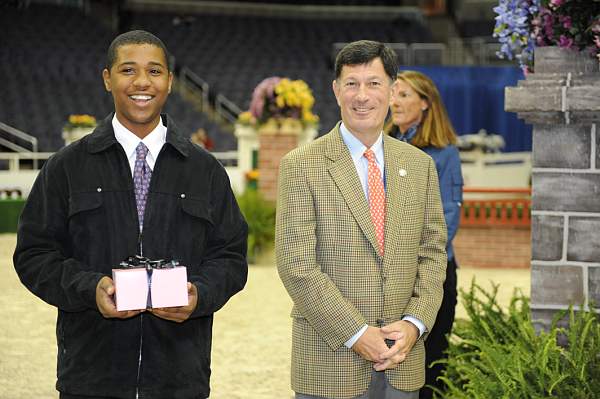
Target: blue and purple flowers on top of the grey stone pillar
[{"x": 522, "y": 25}]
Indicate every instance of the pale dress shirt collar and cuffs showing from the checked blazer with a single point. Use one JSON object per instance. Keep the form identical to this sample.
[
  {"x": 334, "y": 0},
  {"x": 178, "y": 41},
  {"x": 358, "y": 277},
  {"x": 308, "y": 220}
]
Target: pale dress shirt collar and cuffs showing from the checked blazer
[{"x": 357, "y": 150}]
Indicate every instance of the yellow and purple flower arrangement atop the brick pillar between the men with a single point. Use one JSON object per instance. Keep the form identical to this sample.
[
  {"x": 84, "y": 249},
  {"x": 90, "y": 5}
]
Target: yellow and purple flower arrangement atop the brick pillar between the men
[{"x": 278, "y": 99}]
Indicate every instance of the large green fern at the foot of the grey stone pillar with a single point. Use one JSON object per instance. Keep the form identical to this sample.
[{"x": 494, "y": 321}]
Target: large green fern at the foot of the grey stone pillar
[{"x": 499, "y": 354}]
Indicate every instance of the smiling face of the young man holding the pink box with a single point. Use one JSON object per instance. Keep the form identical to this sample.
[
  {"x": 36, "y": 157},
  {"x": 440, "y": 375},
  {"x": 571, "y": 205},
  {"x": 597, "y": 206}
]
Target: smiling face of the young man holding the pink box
[{"x": 140, "y": 83}]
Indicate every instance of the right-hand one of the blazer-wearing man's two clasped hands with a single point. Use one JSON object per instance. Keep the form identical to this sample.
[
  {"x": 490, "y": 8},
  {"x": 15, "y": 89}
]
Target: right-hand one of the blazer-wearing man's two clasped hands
[{"x": 405, "y": 334}]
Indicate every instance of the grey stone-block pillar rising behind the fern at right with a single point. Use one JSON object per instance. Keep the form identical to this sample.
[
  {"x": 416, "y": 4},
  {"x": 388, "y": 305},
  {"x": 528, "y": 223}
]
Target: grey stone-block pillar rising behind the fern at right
[{"x": 561, "y": 101}]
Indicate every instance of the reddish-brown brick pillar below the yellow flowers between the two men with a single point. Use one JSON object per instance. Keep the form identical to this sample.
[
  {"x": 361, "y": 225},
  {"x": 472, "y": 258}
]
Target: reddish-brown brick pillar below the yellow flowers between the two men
[{"x": 273, "y": 145}]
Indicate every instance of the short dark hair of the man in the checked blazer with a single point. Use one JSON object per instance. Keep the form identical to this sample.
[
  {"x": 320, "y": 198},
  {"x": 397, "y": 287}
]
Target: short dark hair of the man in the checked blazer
[{"x": 365, "y": 51}]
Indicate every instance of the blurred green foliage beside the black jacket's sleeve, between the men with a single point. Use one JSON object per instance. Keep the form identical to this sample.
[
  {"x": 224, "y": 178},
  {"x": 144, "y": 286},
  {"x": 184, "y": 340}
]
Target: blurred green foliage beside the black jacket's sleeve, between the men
[{"x": 260, "y": 216}]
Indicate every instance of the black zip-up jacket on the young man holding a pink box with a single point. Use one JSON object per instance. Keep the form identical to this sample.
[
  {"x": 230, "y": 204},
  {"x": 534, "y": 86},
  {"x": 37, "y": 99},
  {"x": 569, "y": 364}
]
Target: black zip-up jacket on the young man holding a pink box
[{"x": 80, "y": 221}]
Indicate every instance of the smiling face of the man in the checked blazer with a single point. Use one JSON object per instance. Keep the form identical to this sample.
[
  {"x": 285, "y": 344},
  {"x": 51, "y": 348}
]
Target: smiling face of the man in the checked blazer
[{"x": 363, "y": 94}]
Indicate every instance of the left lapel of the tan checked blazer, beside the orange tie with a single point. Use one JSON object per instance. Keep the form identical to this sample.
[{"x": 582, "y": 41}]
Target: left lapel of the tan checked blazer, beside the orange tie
[{"x": 343, "y": 172}]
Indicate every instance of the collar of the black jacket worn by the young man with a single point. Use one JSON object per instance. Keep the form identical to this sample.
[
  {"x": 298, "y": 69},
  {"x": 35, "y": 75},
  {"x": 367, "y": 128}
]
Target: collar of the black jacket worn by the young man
[{"x": 103, "y": 136}]
